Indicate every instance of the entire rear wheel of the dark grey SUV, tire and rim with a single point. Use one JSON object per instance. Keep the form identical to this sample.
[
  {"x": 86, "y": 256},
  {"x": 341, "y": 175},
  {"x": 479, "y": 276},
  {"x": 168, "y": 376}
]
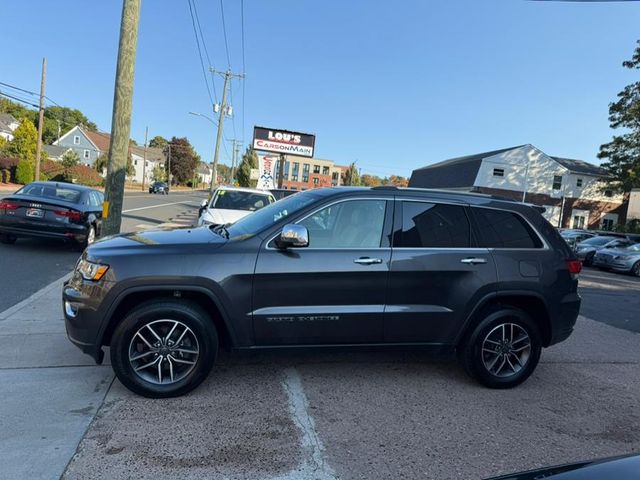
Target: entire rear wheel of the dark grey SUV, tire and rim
[{"x": 503, "y": 350}]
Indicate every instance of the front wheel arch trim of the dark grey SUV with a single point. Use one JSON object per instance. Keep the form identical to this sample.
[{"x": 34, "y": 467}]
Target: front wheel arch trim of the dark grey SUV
[{"x": 203, "y": 297}]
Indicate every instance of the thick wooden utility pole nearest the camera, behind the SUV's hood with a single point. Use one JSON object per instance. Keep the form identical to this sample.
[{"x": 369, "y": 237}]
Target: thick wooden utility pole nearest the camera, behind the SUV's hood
[{"x": 121, "y": 120}]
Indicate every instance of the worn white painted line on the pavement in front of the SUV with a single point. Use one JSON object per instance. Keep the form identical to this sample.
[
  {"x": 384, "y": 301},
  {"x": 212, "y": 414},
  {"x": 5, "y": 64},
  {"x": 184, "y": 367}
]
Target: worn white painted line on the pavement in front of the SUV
[{"x": 314, "y": 467}]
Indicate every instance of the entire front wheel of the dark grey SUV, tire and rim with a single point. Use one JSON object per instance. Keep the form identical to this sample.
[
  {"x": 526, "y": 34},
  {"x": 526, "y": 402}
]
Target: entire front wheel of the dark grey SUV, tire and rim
[{"x": 164, "y": 348}]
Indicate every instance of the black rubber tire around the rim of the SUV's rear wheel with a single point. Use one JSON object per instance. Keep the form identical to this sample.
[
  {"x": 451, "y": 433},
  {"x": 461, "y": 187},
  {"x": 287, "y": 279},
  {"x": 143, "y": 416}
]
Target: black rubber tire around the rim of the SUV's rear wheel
[{"x": 474, "y": 358}]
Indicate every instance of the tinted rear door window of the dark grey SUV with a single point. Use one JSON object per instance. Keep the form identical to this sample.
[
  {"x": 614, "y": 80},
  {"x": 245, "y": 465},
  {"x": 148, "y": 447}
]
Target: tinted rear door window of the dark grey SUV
[{"x": 430, "y": 225}]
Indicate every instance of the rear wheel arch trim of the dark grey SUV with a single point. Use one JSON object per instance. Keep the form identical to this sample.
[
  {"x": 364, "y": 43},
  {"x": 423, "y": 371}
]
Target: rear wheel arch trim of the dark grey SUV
[{"x": 532, "y": 303}]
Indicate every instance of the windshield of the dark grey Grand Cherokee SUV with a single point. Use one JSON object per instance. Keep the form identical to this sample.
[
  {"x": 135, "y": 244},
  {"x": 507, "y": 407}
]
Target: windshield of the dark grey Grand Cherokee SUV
[{"x": 268, "y": 216}]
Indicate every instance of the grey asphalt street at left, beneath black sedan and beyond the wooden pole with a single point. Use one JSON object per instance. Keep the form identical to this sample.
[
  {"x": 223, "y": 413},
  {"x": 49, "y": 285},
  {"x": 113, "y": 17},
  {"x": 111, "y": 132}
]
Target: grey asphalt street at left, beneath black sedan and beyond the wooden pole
[{"x": 31, "y": 264}]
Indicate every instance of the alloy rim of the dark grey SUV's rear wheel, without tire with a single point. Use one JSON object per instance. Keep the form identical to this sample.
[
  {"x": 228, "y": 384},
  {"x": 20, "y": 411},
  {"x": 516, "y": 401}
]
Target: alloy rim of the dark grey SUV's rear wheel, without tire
[{"x": 506, "y": 350}]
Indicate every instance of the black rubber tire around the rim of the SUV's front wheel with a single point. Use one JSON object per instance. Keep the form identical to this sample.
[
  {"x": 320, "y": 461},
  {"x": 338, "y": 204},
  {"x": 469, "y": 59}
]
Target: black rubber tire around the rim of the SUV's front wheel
[{"x": 184, "y": 312}]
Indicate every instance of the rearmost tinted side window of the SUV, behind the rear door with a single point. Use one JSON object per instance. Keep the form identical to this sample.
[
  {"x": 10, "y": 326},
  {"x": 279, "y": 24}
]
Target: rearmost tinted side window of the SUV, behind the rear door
[{"x": 501, "y": 229}]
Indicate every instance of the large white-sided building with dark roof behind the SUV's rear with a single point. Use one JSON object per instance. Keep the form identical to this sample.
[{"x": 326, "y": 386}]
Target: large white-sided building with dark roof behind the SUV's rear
[{"x": 572, "y": 191}]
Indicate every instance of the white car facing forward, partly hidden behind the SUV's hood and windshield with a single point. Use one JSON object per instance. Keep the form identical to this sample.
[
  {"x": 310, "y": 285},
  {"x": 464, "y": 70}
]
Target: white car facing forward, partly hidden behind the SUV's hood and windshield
[{"x": 230, "y": 204}]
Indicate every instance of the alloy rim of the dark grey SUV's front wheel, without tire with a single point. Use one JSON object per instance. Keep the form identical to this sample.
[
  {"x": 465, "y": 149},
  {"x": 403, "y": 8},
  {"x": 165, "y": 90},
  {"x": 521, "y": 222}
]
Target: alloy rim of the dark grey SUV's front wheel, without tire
[{"x": 163, "y": 351}]
